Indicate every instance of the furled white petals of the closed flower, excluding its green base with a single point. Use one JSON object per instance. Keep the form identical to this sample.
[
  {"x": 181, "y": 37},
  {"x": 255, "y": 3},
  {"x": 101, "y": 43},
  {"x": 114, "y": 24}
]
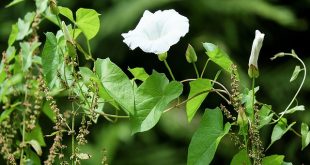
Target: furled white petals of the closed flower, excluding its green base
[{"x": 256, "y": 46}]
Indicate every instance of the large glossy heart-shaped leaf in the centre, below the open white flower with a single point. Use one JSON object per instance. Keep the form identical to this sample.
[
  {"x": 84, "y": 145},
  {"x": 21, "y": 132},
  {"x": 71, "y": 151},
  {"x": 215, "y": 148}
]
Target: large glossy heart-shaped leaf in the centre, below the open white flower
[{"x": 151, "y": 99}]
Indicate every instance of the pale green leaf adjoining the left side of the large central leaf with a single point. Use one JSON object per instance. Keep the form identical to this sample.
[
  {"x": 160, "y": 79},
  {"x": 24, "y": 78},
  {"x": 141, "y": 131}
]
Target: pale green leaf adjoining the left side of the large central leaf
[{"x": 116, "y": 83}]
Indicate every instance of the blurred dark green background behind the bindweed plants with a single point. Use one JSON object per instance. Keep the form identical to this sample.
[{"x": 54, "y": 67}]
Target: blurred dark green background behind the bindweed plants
[{"x": 229, "y": 24}]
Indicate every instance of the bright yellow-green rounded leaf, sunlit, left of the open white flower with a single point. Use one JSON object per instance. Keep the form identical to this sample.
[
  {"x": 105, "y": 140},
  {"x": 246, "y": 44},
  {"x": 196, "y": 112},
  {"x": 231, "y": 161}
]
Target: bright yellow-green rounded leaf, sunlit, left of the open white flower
[{"x": 88, "y": 21}]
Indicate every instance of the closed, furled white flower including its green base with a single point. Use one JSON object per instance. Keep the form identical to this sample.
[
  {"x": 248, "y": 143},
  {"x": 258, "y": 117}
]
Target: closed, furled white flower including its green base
[{"x": 256, "y": 46}]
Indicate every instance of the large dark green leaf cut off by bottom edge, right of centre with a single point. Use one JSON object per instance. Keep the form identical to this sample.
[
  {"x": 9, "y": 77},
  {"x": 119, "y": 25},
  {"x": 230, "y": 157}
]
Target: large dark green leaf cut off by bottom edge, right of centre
[{"x": 206, "y": 139}]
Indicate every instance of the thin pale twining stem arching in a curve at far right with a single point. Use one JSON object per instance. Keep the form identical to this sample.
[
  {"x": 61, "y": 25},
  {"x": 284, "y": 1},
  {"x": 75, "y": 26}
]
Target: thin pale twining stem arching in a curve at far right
[{"x": 300, "y": 86}]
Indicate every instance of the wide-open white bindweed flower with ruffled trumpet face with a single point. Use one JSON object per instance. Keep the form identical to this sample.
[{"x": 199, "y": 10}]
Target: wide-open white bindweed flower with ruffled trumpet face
[{"x": 157, "y": 32}]
